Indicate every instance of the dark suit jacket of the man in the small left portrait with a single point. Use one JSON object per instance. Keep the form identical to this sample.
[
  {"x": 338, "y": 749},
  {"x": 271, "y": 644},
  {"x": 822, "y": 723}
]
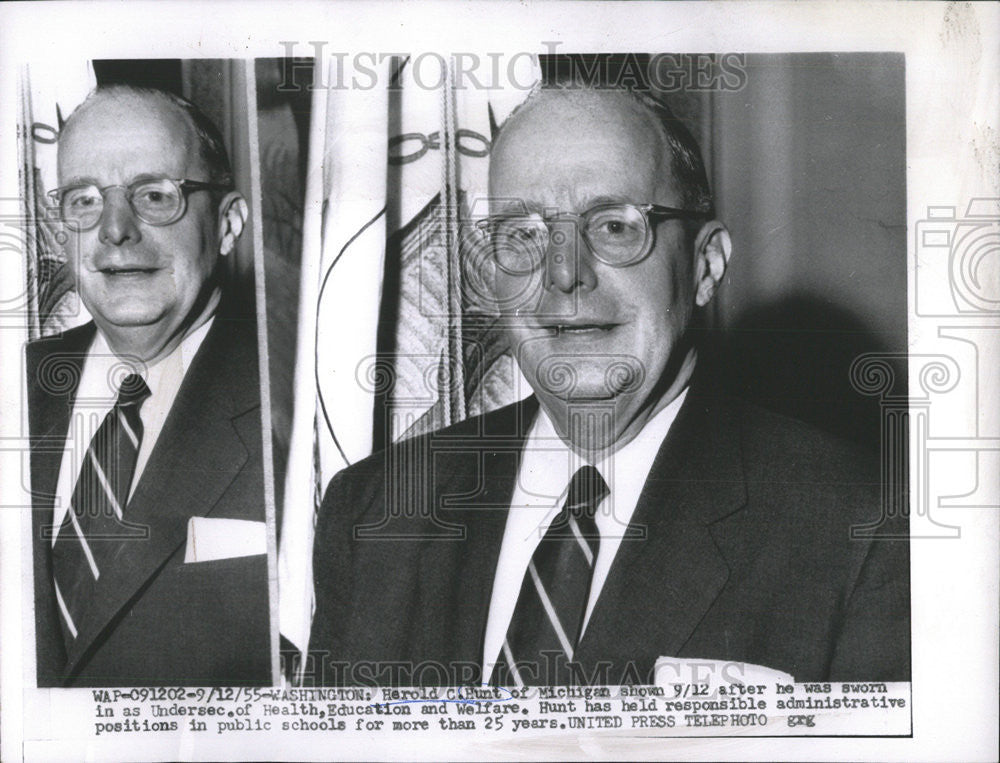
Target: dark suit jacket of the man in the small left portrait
[{"x": 159, "y": 621}]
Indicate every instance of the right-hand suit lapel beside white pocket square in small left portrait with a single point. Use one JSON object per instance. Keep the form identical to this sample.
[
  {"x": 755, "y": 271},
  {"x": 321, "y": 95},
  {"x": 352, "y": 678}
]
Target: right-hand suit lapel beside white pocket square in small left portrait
[{"x": 196, "y": 457}]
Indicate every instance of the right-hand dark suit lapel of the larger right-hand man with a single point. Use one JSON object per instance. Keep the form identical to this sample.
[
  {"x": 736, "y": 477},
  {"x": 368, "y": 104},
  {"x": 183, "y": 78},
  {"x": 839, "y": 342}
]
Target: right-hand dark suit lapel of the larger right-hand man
[{"x": 660, "y": 587}]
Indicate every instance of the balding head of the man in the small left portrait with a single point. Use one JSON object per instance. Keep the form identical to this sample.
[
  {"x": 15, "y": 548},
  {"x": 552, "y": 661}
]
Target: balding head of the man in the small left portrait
[{"x": 147, "y": 282}]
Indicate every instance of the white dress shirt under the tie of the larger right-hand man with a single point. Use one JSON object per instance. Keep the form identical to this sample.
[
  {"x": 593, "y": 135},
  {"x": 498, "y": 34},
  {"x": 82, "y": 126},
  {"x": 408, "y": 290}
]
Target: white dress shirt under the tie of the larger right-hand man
[{"x": 547, "y": 466}]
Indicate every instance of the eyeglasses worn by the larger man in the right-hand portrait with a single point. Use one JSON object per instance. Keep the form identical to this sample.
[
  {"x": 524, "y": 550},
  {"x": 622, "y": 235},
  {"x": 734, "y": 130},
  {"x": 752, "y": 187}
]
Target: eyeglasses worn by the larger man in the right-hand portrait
[{"x": 618, "y": 235}]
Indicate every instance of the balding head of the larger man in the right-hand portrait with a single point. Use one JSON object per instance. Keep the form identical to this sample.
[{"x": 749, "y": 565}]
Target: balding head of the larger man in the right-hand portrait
[{"x": 602, "y": 257}]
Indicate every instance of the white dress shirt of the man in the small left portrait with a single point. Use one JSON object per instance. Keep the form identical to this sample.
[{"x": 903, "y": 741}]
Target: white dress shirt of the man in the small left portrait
[{"x": 96, "y": 396}]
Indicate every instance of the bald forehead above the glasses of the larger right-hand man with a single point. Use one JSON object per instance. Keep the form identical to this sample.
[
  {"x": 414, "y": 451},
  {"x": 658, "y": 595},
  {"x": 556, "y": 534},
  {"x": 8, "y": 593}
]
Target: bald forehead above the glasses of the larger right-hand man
[{"x": 570, "y": 149}]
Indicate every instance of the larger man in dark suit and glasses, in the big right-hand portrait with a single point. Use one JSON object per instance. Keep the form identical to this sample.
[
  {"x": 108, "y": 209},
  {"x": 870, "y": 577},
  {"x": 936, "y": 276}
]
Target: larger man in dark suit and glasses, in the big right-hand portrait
[{"x": 626, "y": 511}]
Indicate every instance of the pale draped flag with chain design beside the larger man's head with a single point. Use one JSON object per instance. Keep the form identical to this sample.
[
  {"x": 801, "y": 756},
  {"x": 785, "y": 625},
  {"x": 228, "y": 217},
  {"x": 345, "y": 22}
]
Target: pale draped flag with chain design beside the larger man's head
[{"x": 403, "y": 342}]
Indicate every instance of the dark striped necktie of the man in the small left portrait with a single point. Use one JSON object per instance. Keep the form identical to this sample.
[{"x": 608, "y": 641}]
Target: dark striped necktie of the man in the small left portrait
[{"x": 94, "y": 529}]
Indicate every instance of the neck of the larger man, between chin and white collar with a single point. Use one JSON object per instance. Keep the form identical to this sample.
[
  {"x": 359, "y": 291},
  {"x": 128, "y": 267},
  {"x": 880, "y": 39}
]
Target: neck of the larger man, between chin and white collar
[{"x": 595, "y": 430}]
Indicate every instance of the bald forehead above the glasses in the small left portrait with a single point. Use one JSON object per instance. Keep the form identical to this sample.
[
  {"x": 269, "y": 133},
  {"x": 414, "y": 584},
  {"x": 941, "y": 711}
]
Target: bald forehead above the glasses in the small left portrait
[{"x": 117, "y": 138}]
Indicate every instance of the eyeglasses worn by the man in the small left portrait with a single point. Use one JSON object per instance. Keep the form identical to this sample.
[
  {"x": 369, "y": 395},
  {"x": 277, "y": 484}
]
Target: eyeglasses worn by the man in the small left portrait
[{"x": 155, "y": 201}]
